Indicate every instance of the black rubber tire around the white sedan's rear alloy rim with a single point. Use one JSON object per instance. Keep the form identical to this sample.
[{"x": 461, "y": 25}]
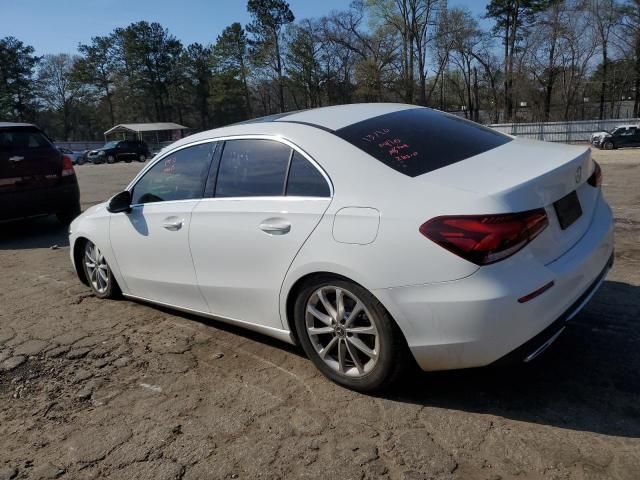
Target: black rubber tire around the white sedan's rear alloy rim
[{"x": 392, "y": 356}]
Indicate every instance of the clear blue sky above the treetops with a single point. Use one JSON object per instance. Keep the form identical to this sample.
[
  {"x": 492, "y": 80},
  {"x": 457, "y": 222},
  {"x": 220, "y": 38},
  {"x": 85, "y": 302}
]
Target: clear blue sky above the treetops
[{"x": 58, "y": 26}]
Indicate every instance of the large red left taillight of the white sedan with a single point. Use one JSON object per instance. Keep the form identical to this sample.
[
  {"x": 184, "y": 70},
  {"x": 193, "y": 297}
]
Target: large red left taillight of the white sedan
[{"x": 485, "y": 239}]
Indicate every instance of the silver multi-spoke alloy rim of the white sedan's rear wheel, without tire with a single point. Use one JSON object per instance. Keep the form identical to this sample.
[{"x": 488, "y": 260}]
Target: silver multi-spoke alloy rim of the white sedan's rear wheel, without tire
[{"x": 342, "y": 331}]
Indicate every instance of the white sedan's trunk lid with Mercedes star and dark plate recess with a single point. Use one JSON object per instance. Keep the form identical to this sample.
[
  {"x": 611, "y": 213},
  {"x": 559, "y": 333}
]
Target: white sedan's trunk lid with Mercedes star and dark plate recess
[{"x": 526, "y": 174}]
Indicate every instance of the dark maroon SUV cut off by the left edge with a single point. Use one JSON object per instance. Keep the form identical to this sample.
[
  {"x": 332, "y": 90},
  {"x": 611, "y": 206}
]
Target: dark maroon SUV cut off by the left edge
[{"x": 35, "y": 177}]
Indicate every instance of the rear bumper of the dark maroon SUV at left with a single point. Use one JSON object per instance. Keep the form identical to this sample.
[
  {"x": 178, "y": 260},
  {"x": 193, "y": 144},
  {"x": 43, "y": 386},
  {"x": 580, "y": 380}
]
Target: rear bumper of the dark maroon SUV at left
[{"x": 42, "y": 201}]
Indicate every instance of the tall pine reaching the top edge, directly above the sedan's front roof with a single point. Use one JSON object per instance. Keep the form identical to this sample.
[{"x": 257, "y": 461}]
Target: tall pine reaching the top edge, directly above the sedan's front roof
[{"x": 269, "y": 18}]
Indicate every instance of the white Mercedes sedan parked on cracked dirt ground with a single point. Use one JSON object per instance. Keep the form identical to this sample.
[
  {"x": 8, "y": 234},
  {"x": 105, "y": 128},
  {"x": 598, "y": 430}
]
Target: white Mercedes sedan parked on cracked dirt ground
[{"x": 369, "y": 234}]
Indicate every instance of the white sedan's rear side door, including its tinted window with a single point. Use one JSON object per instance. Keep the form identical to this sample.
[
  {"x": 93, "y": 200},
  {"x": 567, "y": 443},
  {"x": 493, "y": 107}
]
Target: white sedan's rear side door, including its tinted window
[{"x": 245, "y": 237}]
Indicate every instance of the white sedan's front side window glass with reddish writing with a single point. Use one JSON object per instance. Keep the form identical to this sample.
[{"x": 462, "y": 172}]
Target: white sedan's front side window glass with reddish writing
[{"x": 177, "y": 176}]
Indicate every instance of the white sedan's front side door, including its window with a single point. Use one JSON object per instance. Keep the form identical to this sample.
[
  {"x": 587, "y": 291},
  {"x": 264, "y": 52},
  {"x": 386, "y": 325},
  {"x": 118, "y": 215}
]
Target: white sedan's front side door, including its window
[{"x": 151, "y": 243}]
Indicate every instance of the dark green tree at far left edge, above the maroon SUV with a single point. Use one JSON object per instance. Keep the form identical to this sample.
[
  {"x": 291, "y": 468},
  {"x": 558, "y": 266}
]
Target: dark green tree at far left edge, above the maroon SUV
[{"x": 16, "y": 79}]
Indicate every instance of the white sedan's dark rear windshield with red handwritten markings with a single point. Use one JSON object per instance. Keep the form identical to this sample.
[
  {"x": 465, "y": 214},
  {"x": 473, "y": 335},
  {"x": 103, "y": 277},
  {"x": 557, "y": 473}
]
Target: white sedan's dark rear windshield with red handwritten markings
[{"x": 419, "y": 140}]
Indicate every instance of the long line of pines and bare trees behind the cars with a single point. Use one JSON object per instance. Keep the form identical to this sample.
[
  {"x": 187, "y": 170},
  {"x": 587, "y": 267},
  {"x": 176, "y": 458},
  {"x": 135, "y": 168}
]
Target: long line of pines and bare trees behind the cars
[{"x": 541, "y": 60}]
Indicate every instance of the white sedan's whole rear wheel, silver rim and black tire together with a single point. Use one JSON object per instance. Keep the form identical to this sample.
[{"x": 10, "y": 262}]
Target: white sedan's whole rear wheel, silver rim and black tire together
[{"x": 349, "y": 335}]
